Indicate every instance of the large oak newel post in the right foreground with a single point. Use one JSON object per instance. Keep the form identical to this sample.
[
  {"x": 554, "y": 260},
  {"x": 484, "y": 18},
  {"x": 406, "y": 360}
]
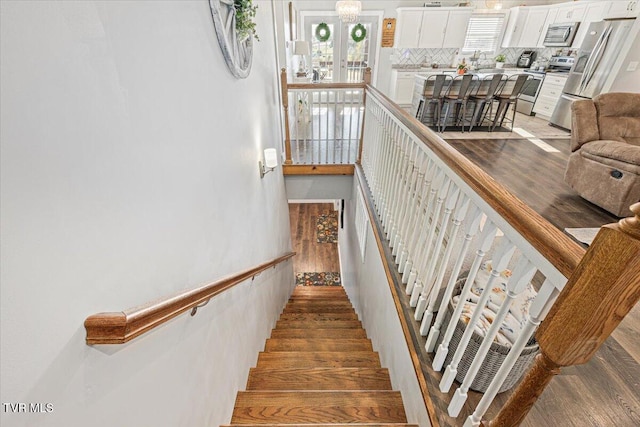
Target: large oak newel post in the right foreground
[{"x": 600, "y": 292}]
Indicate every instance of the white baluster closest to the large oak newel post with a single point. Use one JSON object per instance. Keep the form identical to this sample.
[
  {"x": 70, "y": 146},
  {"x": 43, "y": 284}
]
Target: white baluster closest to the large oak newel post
[{"x": 537, "y": 312}]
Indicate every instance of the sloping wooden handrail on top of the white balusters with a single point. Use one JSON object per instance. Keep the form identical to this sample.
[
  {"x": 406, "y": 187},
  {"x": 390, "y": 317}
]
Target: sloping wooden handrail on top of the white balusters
[{"x": 555, "y": 246}]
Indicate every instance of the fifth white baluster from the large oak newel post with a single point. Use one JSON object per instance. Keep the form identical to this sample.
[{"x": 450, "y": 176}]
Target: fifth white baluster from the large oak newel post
[{"x": 471, "y": 228}]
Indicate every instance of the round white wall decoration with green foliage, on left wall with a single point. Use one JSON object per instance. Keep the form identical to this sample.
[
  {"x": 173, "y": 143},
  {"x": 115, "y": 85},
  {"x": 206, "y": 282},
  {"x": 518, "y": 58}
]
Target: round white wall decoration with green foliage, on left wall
[{"x": 235, "y": 28}]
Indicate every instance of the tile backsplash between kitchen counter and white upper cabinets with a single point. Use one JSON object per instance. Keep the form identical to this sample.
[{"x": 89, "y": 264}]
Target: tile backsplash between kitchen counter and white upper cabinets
[{"x": 447, "y": 57}]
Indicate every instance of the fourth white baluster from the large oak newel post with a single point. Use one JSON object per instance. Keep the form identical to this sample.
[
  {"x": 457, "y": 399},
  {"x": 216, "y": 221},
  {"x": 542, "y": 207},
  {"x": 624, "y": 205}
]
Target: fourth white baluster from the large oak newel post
[{"x": 486, "y": 240}]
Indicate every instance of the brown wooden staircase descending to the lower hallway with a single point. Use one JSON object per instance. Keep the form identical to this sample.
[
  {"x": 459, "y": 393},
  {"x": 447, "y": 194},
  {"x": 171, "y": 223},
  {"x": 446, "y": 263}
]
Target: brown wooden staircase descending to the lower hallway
[{"x": 319, "y": 369}]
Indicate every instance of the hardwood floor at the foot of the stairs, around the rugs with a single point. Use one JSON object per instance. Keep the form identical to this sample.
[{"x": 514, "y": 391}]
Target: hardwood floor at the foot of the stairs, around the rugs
[{"x": 311, "y": 256}]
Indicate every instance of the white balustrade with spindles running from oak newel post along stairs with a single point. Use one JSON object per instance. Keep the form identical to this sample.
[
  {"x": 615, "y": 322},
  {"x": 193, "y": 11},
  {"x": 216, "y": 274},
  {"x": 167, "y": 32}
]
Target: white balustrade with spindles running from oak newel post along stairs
[{"x": 434, "y": 215}]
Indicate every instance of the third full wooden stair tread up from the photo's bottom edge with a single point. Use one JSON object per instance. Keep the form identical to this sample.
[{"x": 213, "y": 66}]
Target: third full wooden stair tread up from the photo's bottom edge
[{"x": 311, "y": 359}]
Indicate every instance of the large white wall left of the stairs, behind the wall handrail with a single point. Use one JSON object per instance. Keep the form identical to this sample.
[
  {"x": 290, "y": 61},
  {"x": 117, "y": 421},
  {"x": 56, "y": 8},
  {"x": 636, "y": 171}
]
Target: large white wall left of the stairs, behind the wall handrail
[{"x": 130, "y": 171}]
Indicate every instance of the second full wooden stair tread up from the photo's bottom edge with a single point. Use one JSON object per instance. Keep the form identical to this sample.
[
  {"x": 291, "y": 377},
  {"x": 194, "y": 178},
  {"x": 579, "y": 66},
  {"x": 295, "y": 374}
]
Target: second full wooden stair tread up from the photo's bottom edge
[{"x": 319, "y": 379}]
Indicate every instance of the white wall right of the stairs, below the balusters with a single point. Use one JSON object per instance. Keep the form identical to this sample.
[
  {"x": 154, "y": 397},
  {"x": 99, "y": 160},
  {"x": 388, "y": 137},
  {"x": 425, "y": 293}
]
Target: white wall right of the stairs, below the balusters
[{"x": 368, "y": 289}]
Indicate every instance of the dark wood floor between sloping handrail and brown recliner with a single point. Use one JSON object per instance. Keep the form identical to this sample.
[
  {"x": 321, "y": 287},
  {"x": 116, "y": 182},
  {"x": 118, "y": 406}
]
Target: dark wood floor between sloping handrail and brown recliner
[{"x": 536, "y": 177}]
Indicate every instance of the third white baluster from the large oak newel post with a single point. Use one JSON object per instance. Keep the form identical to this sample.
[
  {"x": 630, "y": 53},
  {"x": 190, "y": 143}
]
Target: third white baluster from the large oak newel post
[{"x": 503, "y": 254}]
